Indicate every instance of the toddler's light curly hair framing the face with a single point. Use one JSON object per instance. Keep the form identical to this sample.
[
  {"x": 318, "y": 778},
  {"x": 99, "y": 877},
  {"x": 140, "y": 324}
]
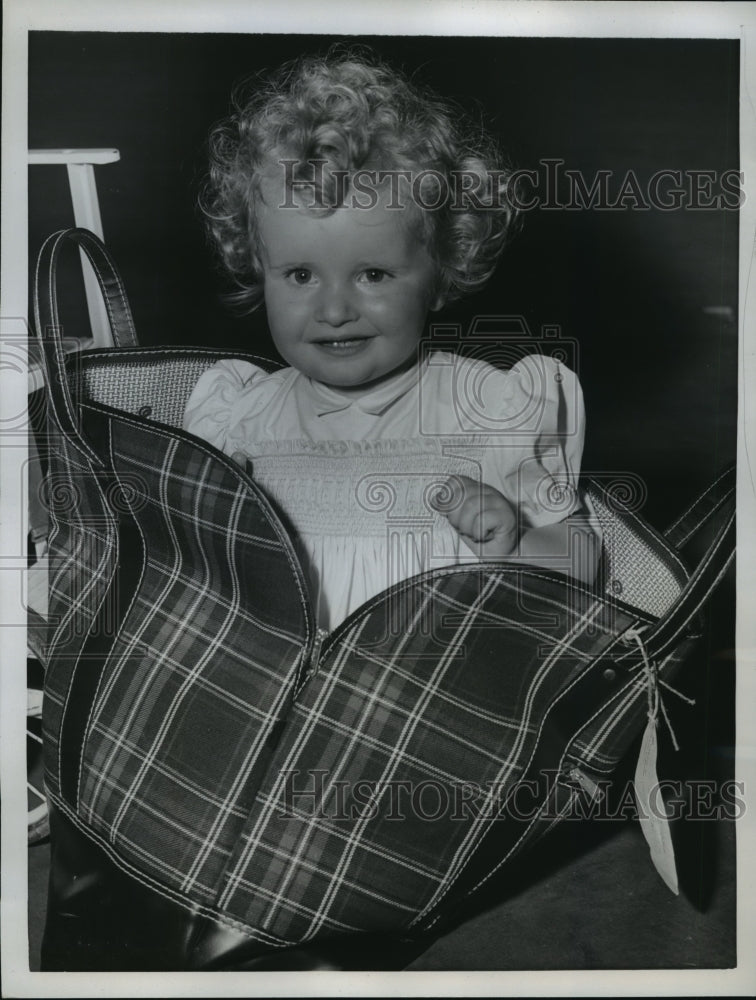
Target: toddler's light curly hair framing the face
[{"x": 340, "y": 114}]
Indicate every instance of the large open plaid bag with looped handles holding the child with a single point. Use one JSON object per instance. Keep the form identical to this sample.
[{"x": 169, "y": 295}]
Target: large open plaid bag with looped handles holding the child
[{"x": 248, "y": 787}]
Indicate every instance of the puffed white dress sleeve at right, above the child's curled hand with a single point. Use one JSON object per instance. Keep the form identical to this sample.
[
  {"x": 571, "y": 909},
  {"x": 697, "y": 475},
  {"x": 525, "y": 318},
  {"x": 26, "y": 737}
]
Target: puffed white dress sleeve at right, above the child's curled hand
[{"x": 534, "y": 456}]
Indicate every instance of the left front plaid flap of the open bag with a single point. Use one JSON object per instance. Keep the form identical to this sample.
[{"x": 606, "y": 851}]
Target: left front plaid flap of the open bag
[{"x": 203, "y": 666}]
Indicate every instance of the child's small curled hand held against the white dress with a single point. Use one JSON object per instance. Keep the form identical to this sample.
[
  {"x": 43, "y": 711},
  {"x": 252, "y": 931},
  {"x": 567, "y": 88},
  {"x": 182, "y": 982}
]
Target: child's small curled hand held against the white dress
[{"x": 483, "y": 517}]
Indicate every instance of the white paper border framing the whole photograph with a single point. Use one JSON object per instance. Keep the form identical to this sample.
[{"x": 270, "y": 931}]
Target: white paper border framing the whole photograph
[{"x": 414, "y": 17}]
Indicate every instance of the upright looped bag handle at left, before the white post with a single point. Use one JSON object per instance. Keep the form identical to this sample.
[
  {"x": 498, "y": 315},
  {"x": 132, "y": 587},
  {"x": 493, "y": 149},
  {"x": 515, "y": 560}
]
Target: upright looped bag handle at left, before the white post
[{"x": 49, "y": 330}]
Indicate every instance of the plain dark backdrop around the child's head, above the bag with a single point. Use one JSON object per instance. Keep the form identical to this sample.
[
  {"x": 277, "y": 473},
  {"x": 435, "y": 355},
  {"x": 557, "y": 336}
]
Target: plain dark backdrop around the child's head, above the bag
[{"x": 659, "y": 373}]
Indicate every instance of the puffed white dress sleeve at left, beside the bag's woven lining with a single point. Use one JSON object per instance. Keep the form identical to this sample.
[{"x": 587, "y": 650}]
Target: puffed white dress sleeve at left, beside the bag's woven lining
[{"x": 225, "y": 397}]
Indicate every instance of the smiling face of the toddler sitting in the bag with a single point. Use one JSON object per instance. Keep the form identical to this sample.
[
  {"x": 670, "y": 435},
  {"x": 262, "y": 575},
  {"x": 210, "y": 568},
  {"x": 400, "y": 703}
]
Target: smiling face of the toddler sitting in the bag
[{"x": 347, "y": 294}]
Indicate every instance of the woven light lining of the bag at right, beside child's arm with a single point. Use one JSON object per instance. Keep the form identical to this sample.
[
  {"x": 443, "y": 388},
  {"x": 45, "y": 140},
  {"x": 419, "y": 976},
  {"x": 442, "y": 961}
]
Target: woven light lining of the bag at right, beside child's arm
[{"x": 638, "y": 567}]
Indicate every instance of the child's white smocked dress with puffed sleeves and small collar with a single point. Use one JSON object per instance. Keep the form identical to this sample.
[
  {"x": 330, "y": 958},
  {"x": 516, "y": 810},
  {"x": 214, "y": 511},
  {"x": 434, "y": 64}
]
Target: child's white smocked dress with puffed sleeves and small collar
[{"x": 359, "y": 477}]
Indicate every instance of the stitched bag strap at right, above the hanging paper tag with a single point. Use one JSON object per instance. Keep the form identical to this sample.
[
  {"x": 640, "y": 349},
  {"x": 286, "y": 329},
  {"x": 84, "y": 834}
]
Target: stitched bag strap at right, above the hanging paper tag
[{"x": 713, "y": 508}]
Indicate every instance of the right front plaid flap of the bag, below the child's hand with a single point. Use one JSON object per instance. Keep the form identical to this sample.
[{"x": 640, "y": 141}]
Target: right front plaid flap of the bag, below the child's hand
[{"x": 433, "y": 722}]
